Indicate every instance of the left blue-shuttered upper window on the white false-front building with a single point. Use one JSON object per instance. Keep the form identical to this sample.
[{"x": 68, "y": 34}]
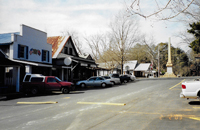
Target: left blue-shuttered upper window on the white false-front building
[{"x": 22, "y": 51}]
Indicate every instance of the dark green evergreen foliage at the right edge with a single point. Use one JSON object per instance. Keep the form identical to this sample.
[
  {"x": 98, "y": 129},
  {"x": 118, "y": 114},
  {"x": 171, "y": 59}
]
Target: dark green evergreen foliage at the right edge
[{"x": 195, "y": 30}]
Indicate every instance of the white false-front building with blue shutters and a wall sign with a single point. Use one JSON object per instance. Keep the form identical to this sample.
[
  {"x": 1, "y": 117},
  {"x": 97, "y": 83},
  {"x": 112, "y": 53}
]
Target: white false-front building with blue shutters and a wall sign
[{"x": 29, "y": 50}]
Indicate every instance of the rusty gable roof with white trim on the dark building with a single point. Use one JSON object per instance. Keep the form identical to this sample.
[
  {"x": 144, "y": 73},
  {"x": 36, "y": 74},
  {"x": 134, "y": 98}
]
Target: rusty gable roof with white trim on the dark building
[{"x": 58, "y": 43}]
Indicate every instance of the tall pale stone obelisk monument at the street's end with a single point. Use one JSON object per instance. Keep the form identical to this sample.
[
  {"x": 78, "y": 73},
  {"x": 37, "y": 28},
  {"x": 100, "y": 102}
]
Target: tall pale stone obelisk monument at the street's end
[{"x": 169, "y": 65}]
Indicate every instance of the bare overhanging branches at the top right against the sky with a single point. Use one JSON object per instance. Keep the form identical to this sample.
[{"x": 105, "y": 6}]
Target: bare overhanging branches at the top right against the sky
[{"x": 165, "y": 9}]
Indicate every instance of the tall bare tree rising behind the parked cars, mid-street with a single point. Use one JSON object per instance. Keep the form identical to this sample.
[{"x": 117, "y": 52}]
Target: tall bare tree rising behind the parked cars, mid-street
[{"x": 124, "y": 33}]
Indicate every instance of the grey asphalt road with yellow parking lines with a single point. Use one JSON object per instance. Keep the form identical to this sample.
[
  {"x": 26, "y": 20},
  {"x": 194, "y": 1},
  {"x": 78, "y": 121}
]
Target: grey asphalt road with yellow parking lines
[{"x": 139, "y": 105}]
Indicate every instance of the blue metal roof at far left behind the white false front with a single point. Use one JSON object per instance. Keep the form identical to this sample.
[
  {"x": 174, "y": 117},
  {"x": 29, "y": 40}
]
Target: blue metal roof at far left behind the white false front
[{"x": 6, "y": 38}]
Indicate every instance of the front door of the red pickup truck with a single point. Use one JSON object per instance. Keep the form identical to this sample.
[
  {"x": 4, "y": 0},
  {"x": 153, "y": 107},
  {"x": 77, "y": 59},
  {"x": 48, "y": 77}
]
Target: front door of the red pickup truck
[{"x": 52, "y": 84}]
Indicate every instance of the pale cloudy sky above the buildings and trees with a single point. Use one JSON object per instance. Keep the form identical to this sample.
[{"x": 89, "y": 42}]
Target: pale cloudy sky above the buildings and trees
[{"x": 88, "y": 17}]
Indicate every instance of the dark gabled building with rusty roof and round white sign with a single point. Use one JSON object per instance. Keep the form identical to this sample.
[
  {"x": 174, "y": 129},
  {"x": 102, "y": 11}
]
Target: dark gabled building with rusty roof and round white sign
[{"x": 68, "y": 65}]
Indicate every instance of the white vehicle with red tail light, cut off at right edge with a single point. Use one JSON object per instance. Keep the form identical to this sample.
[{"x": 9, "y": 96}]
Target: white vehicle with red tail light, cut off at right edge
[{"x": 190, "y": 89}]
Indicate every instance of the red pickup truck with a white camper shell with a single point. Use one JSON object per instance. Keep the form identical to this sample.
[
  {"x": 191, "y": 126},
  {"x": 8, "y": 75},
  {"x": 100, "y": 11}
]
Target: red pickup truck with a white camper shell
[{"x": 36, "y": 83}]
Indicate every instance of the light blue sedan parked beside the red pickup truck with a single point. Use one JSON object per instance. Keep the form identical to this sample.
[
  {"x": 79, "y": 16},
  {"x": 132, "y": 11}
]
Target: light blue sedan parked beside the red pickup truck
[{"x": 95, "y": 81}]
